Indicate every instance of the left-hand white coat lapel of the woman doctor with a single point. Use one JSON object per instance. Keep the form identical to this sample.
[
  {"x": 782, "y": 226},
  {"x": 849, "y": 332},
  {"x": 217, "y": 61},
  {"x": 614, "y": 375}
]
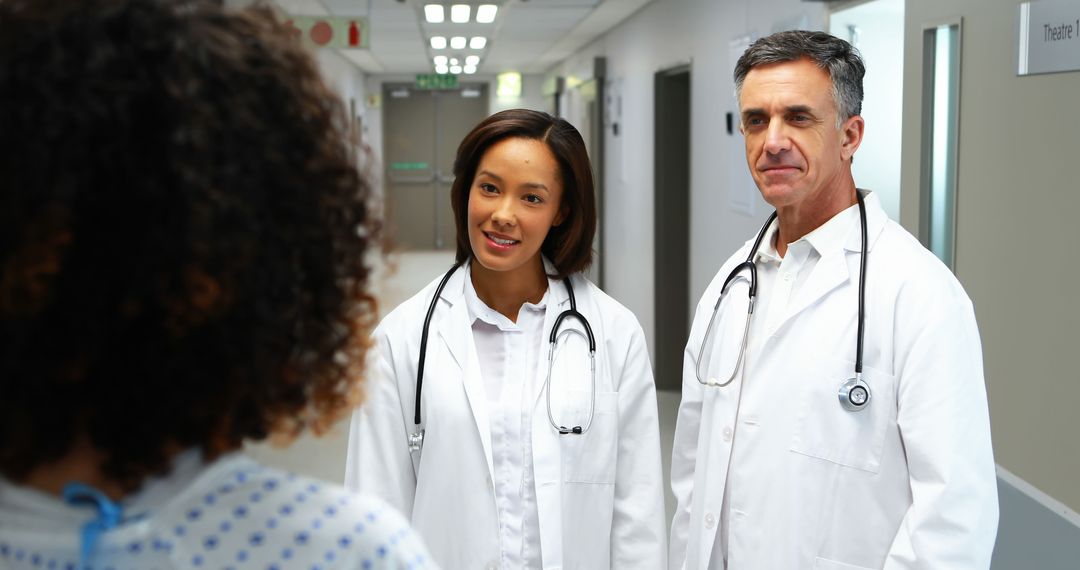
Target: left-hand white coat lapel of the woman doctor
[{"x": 456, "y": 332}]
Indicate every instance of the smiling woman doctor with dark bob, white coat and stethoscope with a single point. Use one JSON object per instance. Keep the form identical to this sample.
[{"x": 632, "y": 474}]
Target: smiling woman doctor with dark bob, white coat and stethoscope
[{"x": 492, "y": 481}]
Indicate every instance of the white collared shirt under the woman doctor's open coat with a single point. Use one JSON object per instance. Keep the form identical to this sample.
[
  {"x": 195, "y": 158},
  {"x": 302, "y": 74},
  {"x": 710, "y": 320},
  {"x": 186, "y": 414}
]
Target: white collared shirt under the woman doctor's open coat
[{"x": 509, "y": 358}]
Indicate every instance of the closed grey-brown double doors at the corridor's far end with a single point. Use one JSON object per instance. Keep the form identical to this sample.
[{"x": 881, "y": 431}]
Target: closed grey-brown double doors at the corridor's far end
[{"x": 422, "y": 137}]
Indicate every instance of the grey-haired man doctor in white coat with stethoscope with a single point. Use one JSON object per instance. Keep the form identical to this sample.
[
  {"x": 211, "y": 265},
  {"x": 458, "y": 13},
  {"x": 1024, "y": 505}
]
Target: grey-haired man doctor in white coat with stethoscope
[{"x": 775, "y": 470}]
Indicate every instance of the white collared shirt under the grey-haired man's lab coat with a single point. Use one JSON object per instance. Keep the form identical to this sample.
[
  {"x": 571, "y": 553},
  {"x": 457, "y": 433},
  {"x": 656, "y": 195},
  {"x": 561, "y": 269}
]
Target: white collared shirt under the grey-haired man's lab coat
[{"x": 779, "y": 283}]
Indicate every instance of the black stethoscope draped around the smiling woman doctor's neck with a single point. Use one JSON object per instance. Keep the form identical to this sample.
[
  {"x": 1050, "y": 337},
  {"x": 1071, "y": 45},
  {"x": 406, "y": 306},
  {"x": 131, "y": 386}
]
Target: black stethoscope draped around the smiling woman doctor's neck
[{"x": 416, "y": 439}]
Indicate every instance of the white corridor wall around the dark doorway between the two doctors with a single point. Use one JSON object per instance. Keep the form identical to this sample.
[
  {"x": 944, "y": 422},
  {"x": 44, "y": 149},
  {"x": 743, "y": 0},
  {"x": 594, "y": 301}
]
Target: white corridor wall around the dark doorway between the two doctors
[{"x": 664, "y": 35}]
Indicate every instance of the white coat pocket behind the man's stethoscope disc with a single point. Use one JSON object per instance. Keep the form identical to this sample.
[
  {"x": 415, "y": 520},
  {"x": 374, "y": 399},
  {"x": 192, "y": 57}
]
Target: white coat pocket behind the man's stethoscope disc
[{"x": 826, "y": 430}]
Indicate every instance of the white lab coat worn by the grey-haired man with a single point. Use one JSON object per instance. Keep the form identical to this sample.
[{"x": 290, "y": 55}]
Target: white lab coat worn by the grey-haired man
[{"x": 908, "y": 483}]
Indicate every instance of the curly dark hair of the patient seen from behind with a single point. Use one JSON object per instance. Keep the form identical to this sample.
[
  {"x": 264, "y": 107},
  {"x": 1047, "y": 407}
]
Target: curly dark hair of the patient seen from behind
[{"x": 183, "y": 235}]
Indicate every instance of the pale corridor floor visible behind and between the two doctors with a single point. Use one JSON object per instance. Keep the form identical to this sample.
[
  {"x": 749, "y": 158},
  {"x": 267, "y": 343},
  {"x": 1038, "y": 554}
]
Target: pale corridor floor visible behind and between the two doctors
[{"x": 397, "y": 280}]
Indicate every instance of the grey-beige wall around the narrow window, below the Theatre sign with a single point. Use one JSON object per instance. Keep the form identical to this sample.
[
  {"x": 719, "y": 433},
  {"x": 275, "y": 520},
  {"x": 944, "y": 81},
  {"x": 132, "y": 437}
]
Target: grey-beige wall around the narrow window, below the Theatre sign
[{"x": 1018, "y": 196}]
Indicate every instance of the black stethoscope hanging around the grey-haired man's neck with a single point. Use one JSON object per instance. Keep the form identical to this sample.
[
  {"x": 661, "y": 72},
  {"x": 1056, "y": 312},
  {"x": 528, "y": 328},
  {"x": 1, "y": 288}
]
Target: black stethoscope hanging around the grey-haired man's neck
[{"x": 855, "y": 395}]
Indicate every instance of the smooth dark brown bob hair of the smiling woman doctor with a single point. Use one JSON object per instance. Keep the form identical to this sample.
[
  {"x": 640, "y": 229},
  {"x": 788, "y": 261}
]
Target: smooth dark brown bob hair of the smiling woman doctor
[{"x": 569, "y": 246}]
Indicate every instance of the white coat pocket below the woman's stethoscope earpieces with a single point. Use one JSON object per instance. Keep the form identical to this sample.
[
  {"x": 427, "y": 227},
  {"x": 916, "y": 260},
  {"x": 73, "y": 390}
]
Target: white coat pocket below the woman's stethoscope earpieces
[{"x": 591, "y": 457}]
